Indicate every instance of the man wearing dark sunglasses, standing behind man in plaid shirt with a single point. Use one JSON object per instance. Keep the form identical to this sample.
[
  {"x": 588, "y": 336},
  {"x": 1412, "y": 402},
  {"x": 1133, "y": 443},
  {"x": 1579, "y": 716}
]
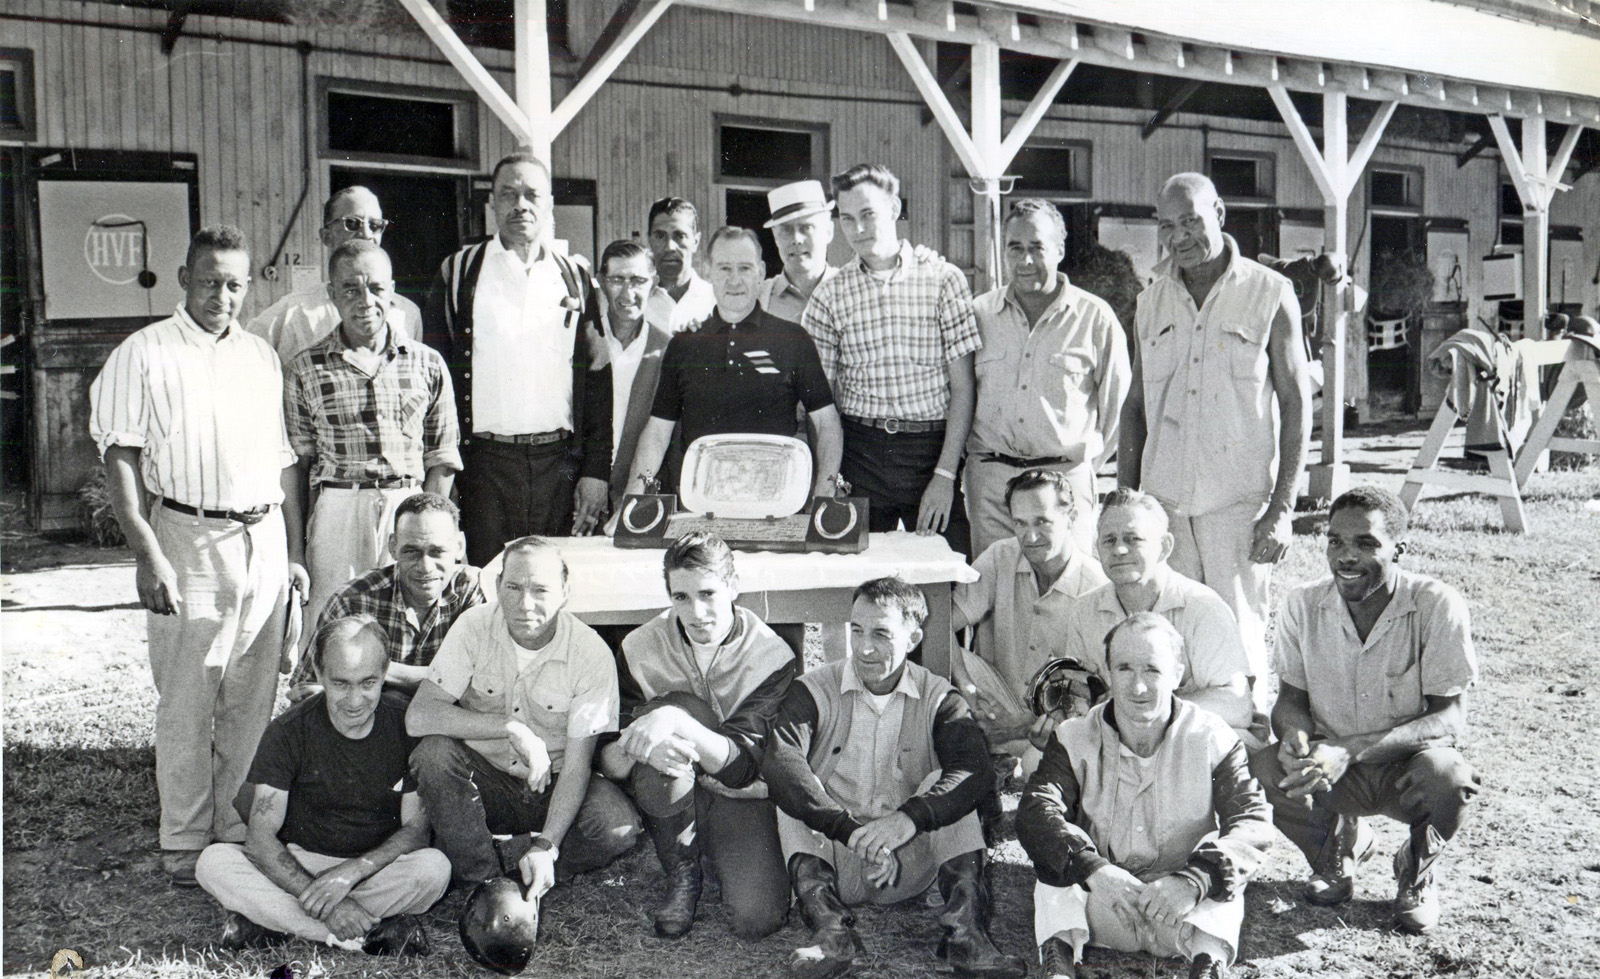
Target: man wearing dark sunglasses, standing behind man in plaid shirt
[{"x": 306, "y": 314}]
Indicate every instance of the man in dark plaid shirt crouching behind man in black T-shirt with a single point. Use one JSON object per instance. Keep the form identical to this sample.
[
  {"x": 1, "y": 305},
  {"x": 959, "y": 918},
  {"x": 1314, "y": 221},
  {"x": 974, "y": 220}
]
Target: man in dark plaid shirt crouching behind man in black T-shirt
[{"x": 414, "y": 601}]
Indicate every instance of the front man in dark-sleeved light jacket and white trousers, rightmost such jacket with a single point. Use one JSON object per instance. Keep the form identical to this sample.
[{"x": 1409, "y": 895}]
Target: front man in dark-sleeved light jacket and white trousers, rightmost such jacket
[{"x": 1143, "y": 821}]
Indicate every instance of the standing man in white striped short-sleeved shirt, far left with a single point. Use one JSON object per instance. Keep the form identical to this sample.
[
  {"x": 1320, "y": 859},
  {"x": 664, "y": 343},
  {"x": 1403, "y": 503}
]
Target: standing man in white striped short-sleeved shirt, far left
[{"x": 188, "y": 415}]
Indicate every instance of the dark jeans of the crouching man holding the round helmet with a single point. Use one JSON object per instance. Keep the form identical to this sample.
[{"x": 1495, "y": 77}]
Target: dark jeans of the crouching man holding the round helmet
[{"x": 470, "y": 801}]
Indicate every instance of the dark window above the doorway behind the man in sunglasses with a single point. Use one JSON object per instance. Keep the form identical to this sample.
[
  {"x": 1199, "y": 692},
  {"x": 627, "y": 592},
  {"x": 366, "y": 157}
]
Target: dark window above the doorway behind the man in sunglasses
[{"x": 399, "y": 126}]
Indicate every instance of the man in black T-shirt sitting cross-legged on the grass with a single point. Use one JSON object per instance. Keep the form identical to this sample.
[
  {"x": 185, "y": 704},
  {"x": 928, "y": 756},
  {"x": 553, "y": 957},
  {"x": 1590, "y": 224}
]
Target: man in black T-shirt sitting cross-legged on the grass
[{"x": 337, "y": 834}]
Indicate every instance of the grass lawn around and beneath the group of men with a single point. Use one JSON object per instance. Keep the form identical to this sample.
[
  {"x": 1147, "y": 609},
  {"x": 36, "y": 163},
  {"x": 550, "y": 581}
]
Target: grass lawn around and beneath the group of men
[{"x": 1521, "y": 884}]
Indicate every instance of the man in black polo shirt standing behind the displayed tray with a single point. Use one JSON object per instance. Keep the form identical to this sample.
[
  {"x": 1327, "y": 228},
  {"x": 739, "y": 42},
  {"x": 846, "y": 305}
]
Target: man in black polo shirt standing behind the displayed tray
[{"x": 742, "y": 374}]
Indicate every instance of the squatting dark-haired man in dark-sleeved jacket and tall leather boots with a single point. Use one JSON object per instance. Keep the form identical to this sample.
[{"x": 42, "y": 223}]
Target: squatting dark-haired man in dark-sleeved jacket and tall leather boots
[{"x": 878, "y": 767}]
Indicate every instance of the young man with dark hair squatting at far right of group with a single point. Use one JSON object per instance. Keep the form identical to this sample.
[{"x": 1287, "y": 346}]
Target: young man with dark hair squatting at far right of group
[{"x": 1374, "y": 665}]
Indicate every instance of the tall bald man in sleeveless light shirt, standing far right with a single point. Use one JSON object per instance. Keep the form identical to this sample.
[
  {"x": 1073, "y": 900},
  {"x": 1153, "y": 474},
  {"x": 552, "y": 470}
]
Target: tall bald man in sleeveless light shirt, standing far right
[{"x": 1218, "y": 415}]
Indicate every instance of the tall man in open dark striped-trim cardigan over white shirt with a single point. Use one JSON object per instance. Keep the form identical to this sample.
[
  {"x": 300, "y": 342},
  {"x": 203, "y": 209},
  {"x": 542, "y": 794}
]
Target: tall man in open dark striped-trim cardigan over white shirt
[{"x": 519, "y": 327}]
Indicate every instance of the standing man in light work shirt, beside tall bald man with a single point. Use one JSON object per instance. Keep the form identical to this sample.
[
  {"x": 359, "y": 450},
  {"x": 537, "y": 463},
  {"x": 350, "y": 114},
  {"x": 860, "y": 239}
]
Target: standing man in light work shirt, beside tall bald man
[{"x": 1052, "y": 378}]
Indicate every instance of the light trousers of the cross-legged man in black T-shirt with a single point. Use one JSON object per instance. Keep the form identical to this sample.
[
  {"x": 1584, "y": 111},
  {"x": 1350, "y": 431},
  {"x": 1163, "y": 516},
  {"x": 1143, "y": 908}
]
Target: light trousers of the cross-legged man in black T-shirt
[{"x": 407, "y": 887}]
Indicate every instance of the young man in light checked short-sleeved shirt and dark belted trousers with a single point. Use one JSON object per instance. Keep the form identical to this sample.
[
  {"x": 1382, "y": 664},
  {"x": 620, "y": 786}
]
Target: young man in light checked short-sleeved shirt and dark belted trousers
[{"x": 897, "y": 337}]
